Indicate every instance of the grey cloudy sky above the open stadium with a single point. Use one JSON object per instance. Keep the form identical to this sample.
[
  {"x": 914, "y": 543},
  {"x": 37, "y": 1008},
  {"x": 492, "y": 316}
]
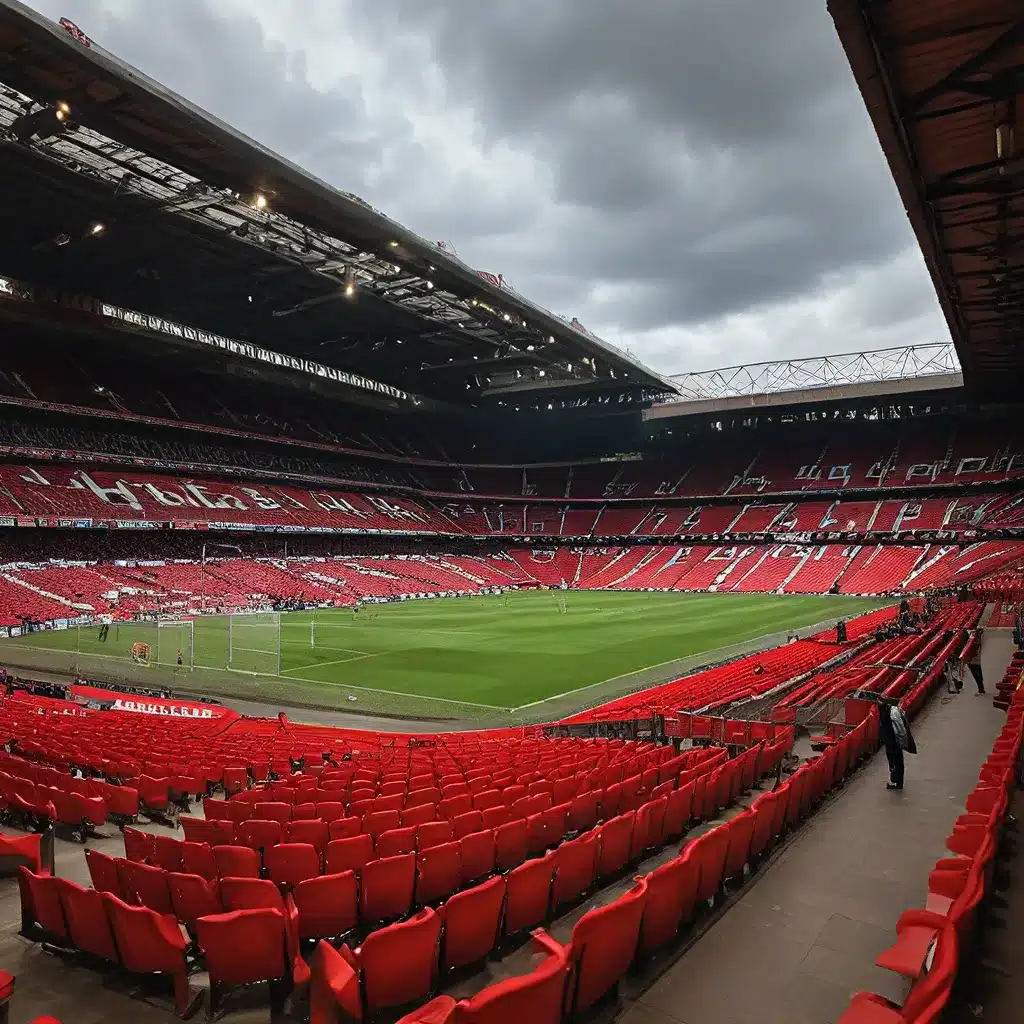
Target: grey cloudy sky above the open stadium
[{"x": 696, "y": 180}]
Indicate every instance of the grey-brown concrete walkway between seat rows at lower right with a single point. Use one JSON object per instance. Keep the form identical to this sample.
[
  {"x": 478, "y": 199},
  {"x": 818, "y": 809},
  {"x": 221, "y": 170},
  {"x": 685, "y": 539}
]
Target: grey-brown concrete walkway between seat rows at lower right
[{"x": 805, "y": 936}]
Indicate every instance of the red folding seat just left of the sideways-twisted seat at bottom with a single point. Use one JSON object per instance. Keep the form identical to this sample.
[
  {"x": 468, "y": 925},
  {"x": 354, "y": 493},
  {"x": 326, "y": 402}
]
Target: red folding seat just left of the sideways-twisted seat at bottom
[{"x": 246, "y": 947}]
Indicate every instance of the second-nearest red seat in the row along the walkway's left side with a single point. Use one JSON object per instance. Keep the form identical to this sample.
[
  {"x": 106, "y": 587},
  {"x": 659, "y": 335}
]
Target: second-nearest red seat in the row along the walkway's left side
[{"x": 605, "y": 943}]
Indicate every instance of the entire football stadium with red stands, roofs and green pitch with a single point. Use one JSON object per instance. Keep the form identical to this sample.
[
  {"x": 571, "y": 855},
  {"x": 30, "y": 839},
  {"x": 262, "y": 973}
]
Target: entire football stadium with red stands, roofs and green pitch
[{"x": 379, "y": 645}]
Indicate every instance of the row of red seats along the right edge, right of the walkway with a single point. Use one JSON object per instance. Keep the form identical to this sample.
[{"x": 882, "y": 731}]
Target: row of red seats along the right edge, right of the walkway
[{"x": 931, "y": 942}]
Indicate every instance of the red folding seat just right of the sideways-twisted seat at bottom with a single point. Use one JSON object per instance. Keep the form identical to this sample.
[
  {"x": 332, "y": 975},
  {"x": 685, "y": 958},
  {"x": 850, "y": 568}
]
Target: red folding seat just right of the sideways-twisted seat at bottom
[{"x": 398, "y": 965}]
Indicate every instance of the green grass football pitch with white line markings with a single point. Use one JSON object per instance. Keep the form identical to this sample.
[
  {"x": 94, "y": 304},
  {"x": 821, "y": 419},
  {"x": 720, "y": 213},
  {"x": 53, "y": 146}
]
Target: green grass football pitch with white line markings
[{"x": 448, "y": 657}]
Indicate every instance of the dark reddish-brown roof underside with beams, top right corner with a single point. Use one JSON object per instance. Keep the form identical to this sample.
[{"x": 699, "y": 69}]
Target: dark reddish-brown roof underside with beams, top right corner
[{"x": 944, "y": 82}]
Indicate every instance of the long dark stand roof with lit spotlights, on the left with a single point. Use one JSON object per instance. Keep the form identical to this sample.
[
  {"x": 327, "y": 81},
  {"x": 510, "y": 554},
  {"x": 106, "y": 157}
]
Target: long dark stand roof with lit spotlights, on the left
[{"x": 203, "y": 227}]
